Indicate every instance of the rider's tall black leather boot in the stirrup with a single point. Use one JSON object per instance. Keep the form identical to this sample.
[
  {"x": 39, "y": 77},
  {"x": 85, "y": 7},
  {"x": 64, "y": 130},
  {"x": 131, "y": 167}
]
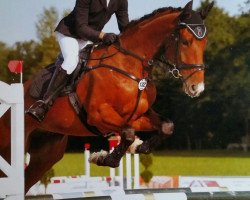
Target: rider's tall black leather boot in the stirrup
[{"x": 57, "y": 83}]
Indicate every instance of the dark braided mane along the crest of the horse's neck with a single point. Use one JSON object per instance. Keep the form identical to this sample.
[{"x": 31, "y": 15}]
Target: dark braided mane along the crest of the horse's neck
[{"x": 147, "y": 16}]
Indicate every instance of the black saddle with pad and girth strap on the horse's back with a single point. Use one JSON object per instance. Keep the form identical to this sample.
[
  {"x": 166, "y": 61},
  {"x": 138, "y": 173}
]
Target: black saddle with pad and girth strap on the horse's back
[{"x": 40, "y": 84}]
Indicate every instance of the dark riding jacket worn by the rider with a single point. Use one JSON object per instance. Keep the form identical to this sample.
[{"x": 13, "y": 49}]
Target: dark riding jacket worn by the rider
[{"x": 89, "y": 17}]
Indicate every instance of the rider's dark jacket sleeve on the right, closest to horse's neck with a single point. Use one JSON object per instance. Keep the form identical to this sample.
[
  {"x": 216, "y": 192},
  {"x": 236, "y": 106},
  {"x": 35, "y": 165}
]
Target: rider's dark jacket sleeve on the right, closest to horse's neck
[{"x": 122, "y": 15}]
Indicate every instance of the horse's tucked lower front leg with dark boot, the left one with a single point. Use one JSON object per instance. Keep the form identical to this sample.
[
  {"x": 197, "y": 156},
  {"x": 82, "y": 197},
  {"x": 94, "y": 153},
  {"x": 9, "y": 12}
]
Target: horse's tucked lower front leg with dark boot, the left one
[{"x": 113, "y": 159}]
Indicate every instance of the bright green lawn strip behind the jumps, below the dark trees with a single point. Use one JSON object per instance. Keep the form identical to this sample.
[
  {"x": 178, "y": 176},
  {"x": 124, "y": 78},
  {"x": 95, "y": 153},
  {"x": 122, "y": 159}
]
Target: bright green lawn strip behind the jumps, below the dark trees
[{"x": 195, "y": 163}]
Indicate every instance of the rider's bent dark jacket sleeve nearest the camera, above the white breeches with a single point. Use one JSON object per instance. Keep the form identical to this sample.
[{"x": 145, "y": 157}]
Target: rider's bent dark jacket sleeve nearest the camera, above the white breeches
[{"x": 82, "y": 28}]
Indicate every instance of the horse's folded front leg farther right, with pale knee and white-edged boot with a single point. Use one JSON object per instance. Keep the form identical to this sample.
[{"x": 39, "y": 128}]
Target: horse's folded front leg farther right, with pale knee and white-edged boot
[{"x": 151, "y": 121}]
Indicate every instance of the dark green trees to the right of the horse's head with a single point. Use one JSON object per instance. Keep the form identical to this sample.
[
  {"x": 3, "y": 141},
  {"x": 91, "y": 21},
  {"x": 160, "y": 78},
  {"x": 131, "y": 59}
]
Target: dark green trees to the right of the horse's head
[{"x": 217, "y": 117}]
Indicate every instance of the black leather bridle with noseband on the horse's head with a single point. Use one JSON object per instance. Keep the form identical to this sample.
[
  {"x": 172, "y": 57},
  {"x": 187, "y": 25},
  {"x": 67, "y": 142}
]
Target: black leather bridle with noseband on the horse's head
[{"x": 177, "y": 65}]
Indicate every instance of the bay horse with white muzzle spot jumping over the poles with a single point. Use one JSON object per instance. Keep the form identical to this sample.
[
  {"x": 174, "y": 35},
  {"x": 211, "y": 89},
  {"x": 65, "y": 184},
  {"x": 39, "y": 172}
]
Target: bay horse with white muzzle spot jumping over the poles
[{"x": 117, "y": 91}]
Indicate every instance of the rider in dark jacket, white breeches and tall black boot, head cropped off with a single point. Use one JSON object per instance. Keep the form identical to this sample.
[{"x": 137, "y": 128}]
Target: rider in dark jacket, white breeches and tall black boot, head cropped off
[{"x": 82, "y": 26}]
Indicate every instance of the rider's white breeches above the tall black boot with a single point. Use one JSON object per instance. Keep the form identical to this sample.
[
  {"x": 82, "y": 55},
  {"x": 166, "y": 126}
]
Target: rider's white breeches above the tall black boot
[{"x": 70, "y": 48}]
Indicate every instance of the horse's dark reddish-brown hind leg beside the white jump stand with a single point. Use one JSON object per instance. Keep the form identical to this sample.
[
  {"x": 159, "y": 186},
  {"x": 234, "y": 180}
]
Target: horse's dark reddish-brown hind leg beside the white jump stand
[{"x": 45, "y": 151}]
